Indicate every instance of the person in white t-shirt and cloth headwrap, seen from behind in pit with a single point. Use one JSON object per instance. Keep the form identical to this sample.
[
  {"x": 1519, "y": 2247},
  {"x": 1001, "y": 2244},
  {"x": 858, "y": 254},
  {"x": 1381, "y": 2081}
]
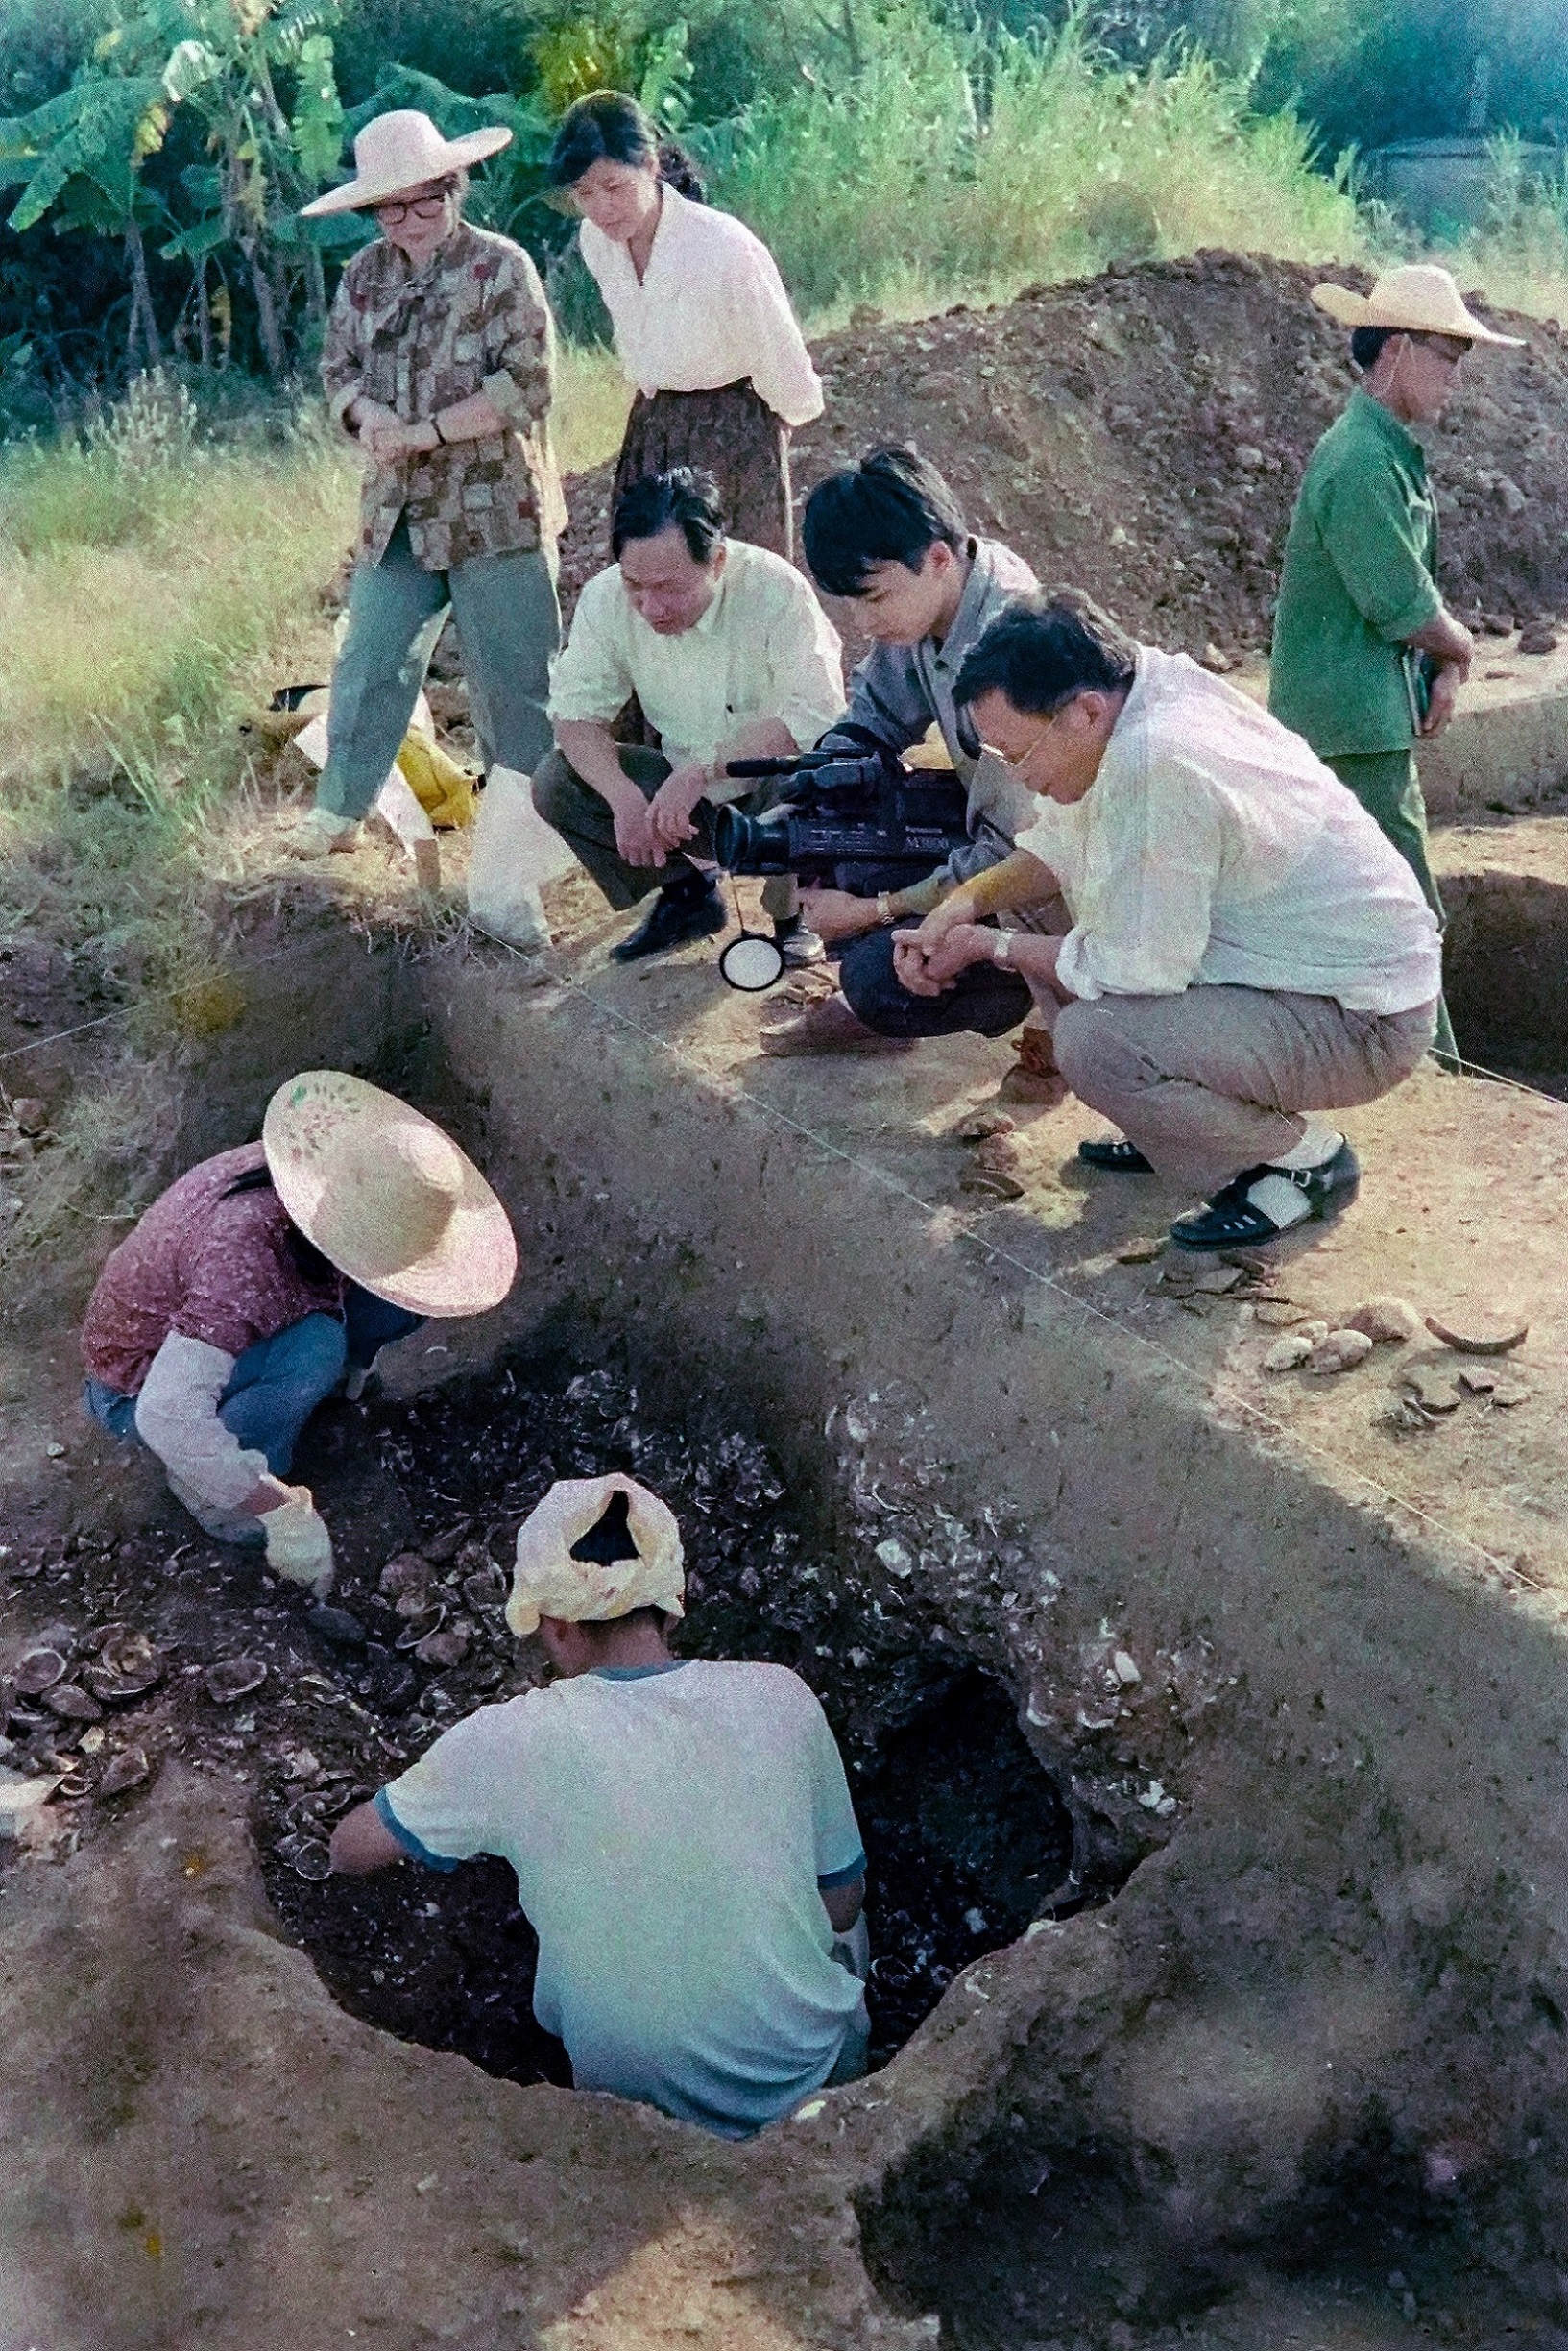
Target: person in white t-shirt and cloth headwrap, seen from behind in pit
[{"x": 683, "y": 1833}]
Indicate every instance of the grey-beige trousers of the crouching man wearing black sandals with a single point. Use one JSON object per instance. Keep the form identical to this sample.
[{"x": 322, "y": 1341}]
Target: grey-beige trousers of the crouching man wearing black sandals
[{"x": 1207, "y": 1083}]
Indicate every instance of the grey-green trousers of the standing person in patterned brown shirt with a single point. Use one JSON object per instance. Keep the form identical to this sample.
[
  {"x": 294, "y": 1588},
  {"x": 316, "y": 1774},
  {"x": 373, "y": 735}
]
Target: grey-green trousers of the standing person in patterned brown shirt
[{"x": 509, "y": 622}]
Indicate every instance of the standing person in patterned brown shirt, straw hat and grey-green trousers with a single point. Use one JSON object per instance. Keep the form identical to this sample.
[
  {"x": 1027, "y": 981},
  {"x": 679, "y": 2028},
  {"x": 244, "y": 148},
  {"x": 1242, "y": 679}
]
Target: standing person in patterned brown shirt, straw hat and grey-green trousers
[{"x": 441, "y": 363}]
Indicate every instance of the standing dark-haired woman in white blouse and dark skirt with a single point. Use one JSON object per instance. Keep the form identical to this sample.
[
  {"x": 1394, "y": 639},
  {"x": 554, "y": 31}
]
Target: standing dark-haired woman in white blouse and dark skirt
[{"x": 704, "y": 326}]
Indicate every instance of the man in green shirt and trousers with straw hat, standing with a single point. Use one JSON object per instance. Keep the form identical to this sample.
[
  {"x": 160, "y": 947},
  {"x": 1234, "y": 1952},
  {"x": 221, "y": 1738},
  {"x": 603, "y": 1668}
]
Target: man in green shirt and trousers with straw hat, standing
[{"x": 1367, "y": 657}]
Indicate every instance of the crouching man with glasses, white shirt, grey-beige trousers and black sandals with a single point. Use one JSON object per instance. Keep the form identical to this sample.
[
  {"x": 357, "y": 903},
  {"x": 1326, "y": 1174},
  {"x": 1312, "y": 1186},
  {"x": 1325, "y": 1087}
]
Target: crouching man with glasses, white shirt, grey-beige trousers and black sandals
[{"x": 1242, "y": 949}]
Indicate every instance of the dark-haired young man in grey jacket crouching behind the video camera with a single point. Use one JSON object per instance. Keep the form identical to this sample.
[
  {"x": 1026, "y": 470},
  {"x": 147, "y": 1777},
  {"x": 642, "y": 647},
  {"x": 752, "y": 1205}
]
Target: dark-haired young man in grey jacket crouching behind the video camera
[{"x": 890, "y": 535}]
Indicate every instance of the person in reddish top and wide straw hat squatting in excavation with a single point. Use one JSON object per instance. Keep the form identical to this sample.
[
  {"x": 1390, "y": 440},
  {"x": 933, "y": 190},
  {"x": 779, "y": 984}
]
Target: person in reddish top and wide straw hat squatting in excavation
[{"x": 269, "y": 1278}]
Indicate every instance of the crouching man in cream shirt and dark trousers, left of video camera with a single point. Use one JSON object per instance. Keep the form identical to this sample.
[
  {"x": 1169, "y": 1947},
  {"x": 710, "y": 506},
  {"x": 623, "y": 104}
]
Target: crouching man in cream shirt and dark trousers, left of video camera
[{"x": 730, "y": 657}]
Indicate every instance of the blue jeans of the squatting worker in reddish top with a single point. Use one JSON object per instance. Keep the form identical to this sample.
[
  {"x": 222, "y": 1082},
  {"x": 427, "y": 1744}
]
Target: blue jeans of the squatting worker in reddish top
[{"x": 279, "y": 1384}]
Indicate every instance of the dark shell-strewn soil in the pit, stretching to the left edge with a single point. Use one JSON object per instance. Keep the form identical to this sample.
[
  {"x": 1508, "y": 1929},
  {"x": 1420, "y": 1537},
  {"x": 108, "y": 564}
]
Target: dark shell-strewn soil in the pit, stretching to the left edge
[{"x": 967, "y": 1837}]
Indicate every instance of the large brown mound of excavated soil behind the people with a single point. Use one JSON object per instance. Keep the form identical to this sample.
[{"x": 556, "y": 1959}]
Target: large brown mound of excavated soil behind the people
[{"x": 1144, "y": 436}]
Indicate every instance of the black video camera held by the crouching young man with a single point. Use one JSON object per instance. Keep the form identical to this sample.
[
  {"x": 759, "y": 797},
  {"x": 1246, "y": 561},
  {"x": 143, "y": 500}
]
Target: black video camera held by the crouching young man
[{"x": 862, "y": 819}]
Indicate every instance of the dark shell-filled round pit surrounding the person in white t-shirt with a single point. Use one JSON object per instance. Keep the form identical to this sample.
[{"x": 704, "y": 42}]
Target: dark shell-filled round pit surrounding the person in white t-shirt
[{"x": 967, "y": 1837}]
